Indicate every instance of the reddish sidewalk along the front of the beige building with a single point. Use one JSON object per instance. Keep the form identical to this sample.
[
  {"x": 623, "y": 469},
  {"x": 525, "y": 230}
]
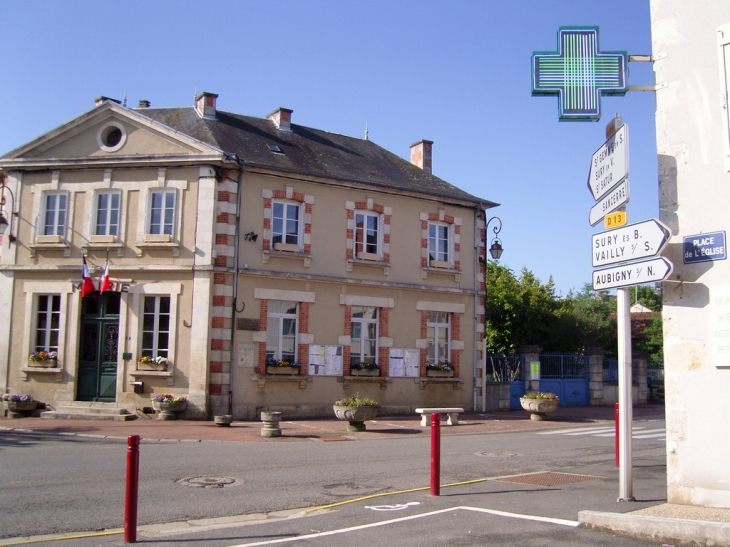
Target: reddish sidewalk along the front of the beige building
[{"x": 325, "y": 429}]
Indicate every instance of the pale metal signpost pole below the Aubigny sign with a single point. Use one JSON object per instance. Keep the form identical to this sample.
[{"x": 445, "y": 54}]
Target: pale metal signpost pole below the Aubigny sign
[{"x": 625, "y": 403}]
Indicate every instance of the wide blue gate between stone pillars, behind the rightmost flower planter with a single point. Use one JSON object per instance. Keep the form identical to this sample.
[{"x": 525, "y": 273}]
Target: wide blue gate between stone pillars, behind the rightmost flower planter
[{"x": 566, "y": 375}]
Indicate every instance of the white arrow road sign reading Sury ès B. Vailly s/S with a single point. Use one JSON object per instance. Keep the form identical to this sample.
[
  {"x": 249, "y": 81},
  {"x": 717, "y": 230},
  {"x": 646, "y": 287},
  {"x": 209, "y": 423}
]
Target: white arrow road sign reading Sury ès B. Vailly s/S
[{"x": 631, "y": 242}]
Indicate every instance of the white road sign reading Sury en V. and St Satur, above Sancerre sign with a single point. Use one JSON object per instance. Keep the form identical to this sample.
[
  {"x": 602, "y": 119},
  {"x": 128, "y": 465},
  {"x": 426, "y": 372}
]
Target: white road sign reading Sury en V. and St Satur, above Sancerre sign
[{"x": 609, "y": 164}]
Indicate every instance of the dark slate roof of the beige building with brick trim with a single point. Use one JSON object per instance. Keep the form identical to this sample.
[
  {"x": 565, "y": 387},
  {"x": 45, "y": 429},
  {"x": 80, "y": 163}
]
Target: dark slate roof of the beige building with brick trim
[{"x": 306, "y": 151}]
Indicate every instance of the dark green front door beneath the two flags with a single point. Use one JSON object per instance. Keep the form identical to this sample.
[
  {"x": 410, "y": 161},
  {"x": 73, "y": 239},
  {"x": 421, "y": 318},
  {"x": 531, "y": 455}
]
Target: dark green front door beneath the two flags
[{"x": 97, "y": 380}]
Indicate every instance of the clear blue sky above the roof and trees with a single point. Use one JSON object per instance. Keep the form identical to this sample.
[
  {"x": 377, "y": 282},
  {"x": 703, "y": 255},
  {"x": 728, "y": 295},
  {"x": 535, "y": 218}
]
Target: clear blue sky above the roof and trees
[{"x": 456, "y": 73}]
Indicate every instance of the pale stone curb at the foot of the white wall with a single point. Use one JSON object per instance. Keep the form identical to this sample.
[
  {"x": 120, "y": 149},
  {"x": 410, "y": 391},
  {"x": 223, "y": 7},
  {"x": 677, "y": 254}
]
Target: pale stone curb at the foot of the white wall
[{"x": 692, "y": 532}]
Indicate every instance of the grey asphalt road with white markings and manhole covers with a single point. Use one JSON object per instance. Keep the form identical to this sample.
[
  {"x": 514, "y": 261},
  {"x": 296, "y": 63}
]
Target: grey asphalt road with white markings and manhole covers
[{"x": 52, "y": 484}]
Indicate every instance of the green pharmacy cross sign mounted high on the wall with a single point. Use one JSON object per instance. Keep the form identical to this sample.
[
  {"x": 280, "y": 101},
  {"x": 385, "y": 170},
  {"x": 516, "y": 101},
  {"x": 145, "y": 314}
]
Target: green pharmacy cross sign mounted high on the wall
[{"x": 578, "y": 73}]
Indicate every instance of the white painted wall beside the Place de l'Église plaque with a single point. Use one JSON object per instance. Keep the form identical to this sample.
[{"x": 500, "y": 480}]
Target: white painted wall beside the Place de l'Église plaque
[{"x": 694, "y": 194}]
